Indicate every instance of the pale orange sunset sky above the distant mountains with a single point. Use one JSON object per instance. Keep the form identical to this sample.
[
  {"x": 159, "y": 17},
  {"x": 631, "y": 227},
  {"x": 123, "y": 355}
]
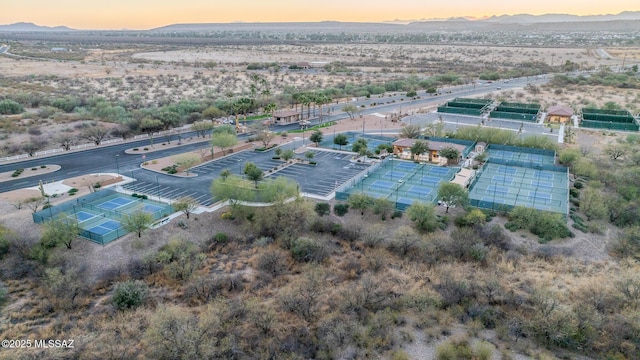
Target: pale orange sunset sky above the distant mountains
[{"x": 146, "y": 14}]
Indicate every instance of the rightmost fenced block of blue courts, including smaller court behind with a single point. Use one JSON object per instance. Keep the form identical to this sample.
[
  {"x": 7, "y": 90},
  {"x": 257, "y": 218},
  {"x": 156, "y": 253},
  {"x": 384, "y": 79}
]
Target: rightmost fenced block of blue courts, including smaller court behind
[{"x": 521, "y": 177}]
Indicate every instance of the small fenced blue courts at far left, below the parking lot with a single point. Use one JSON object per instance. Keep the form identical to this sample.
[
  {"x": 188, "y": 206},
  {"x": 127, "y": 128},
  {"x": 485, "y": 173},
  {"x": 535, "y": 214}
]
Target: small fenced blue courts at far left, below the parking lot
[{"x": 99, "y": 215}]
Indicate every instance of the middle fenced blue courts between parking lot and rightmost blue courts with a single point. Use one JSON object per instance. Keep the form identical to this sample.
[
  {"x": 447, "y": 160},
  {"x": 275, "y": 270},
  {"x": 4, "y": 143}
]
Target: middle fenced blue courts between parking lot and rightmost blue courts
[{"x": 402, "y": 182}]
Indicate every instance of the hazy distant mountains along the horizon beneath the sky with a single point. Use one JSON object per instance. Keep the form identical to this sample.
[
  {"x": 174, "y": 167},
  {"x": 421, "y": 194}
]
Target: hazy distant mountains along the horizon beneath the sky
[{"x": 450, "y": 24}]
